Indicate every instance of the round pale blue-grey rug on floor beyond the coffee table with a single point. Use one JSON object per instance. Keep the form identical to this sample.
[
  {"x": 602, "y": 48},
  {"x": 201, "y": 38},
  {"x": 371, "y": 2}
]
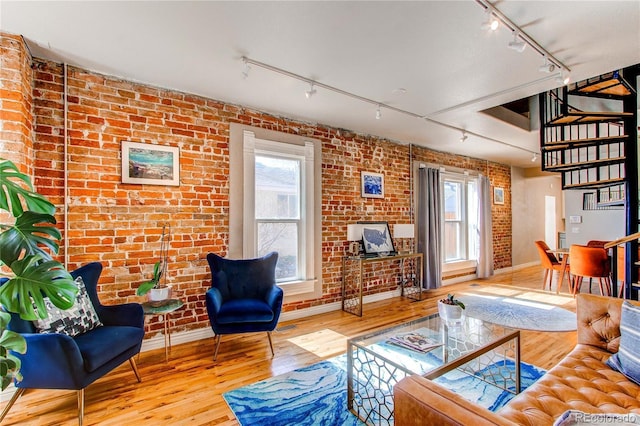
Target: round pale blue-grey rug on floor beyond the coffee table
[{"x": 518, "y": 313}]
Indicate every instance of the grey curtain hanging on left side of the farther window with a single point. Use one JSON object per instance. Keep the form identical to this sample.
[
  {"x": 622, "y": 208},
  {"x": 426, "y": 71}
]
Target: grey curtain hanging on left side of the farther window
[{"x": 428, "y": 226}]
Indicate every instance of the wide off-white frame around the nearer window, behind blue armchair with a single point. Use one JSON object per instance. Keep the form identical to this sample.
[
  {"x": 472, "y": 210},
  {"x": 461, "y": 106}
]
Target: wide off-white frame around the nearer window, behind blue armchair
[{"x": 245, "y": 142}]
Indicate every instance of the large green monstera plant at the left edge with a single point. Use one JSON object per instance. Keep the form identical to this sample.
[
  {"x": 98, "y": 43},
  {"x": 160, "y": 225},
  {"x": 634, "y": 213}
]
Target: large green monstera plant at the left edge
[{"x": 29, "y": 271}]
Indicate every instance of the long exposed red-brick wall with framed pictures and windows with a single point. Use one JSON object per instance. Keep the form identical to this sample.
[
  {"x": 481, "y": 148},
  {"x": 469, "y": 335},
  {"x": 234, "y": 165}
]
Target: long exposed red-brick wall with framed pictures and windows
[{"x": 120, "y": 224}]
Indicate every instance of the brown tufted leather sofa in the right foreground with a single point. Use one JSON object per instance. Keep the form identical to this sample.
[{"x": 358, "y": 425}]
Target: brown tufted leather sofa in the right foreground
[{"x": 581, "y": 381}]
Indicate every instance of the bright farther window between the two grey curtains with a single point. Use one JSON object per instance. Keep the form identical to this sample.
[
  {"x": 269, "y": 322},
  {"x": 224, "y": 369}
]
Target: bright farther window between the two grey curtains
[{"x": 460, "y": 206}]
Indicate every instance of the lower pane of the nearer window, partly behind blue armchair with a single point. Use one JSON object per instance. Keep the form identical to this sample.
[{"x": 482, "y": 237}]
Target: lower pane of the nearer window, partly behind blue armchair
[{"x": 283, "y": 238}]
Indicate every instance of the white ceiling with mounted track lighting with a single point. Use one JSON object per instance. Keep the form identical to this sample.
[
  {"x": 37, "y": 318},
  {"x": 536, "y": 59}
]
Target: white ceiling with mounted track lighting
[{"x": 448, "y": 68}]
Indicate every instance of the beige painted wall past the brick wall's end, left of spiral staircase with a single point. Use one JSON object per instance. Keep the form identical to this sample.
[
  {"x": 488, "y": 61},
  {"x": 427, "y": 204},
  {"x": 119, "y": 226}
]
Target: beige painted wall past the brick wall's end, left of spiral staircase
[{"x": 529, "y": 187}]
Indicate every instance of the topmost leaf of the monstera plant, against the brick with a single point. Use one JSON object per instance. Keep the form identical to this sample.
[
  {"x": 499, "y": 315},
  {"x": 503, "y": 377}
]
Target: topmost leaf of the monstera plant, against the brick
[{"x": 12, "y": 188}]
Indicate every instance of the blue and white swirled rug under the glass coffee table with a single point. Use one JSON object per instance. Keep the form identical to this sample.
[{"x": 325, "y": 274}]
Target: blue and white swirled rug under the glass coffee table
[{"x": 317, "y": 395}]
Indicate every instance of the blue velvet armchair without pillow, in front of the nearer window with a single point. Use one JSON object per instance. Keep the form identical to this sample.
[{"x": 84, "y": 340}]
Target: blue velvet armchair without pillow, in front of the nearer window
[{"x": 243, "y": 297}]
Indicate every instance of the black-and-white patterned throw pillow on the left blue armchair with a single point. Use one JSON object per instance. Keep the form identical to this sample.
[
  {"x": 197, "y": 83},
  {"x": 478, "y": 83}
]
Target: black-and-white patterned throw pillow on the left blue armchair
[{"x": 80, "y": 318}]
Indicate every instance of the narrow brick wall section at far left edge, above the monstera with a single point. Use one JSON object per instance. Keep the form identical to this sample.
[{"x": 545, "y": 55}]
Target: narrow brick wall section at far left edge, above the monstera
[{"x": 16, "y": 139}]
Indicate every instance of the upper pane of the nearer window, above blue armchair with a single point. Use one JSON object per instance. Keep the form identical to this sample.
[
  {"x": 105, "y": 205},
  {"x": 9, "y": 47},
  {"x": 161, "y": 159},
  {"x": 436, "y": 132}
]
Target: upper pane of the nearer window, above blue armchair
[{"x": 277, "y": 188}]
